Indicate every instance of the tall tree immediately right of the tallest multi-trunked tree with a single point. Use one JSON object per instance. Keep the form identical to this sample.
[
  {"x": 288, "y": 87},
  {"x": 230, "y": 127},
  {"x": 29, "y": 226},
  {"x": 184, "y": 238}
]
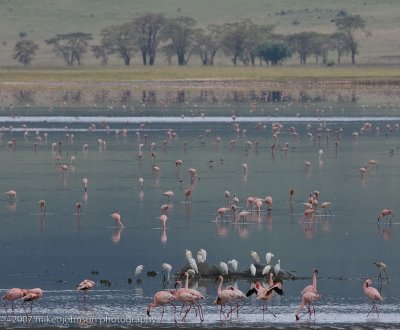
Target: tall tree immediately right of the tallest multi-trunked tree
[{"x": 179, "y": 33}]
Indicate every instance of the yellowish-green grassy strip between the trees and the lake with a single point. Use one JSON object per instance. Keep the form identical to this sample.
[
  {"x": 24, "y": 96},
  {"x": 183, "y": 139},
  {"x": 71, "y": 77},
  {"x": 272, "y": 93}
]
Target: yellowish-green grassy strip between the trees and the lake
[{"x": 379, "y": 74}]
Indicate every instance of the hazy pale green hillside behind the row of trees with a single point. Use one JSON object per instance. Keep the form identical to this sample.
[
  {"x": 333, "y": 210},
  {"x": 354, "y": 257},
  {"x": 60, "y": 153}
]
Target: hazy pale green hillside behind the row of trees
[{"x": 42, "y": 19}]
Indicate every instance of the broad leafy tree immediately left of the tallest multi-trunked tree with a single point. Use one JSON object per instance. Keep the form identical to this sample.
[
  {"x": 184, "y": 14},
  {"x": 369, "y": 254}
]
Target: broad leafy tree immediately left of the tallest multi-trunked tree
[{"x": 120, "y": 40}]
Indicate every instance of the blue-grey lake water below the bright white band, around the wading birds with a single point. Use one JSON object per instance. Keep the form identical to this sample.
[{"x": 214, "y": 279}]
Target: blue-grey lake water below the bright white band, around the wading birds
[{"x": 57, "y": 250}]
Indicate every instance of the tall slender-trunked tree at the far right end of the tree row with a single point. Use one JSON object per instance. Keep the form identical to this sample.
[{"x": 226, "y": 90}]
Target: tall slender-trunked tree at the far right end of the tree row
[{"x": 348, "y": 25}]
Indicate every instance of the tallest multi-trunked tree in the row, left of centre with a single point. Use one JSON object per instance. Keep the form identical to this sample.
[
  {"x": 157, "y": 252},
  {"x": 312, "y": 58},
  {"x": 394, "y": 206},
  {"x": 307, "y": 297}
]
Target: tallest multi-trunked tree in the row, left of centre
[{"x": 147, "y": 29}]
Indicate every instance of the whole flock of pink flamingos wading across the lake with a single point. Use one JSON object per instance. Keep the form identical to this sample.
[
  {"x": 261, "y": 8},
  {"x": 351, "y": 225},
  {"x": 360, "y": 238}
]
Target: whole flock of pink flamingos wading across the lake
[{"x": 228, "y": 296}]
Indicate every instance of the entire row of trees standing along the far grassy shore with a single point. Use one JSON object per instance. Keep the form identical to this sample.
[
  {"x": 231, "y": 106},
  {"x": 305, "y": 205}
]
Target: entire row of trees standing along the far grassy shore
[{"x": 243, "y": 42}]
